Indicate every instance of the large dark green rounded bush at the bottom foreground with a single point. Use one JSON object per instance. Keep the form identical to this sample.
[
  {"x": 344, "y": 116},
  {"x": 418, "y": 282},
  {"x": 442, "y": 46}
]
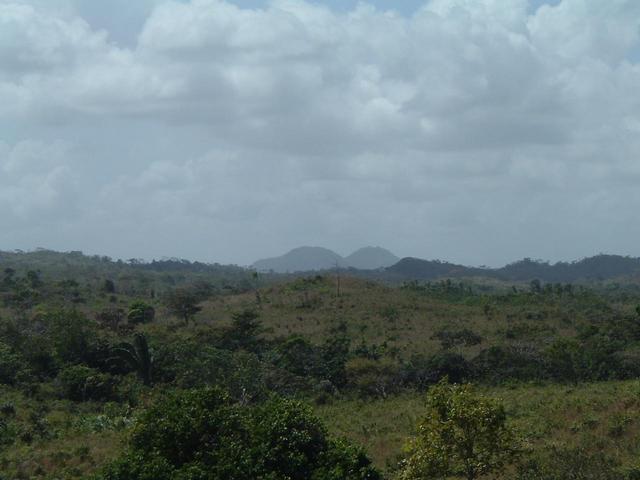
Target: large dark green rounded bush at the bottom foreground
[{"x": 202, "y": 434}]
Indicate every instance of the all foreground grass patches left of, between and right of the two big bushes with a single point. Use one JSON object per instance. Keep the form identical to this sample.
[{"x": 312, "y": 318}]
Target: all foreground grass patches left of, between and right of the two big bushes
[{"x": 601, "y": 417}]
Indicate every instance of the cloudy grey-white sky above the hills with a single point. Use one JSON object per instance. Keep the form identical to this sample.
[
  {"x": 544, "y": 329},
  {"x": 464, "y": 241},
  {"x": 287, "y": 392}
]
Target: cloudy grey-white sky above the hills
[{"x": 474, "y": 131}]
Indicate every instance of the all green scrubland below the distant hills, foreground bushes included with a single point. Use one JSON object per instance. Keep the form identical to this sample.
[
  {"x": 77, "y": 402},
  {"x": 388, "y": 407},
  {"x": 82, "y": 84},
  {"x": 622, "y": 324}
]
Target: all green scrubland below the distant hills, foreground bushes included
[{"x": 120, "y": 370}]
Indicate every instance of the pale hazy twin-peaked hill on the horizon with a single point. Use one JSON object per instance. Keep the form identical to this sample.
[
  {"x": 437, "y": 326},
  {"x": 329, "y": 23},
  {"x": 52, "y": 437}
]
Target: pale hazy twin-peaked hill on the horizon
[{"x": 304, "y": 259}]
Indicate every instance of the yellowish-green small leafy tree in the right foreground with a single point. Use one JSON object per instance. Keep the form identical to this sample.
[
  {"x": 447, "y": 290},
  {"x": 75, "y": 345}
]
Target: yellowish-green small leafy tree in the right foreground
[{"x": 463, "y": 435}]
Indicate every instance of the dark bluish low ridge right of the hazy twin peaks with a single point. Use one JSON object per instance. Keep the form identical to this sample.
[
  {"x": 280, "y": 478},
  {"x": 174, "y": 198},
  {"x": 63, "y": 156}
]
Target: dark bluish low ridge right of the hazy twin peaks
[{"x": 599, "y": 267}]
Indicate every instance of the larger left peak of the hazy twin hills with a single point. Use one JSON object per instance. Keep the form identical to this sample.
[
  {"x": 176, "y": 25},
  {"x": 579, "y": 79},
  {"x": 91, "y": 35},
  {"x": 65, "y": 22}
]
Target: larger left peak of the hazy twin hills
[{"x": 301, "y": 259}]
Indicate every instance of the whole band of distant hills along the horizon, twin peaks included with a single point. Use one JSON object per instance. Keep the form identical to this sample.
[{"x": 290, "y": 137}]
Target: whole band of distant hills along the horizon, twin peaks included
[{"x": 369, "y": 262}]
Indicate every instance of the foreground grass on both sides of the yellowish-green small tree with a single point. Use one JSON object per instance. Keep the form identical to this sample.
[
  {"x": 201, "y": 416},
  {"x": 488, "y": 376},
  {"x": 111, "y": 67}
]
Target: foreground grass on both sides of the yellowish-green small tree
[{"x": 598, "y": 416}]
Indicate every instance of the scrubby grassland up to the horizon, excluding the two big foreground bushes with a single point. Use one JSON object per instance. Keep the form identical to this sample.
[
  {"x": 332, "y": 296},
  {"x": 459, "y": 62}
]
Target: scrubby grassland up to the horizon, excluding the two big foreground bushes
[{"x": 564, "y": 358}]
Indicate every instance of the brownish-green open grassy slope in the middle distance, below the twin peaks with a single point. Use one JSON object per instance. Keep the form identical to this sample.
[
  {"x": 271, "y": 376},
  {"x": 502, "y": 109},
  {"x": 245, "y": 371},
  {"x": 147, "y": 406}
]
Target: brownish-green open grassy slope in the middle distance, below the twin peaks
[{"x": 407, "y": 319}]
